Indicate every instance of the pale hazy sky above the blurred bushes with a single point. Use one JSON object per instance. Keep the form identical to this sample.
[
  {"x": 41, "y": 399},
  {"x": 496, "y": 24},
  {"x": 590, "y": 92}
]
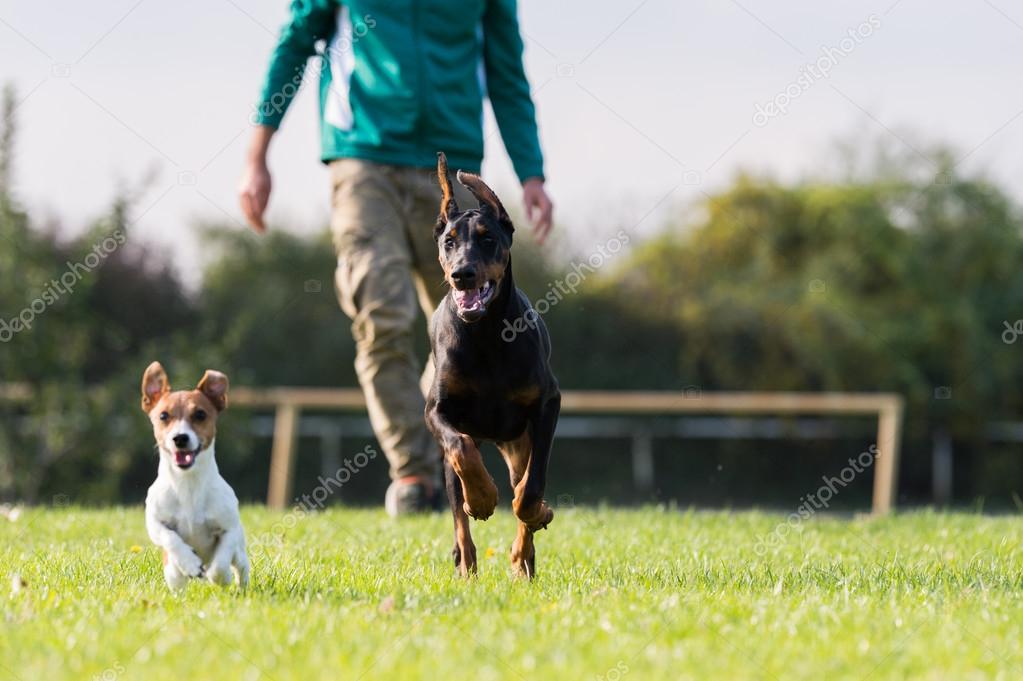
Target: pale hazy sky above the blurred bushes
[{"x": 645, "y": 107}]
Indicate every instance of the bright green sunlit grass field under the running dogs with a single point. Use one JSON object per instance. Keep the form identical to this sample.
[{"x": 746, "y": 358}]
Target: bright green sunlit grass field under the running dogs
[{"x": 645, "y": 595}]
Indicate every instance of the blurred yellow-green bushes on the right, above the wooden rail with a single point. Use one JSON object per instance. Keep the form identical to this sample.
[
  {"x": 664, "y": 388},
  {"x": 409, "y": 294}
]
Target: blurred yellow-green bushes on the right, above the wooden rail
[{"x": 864, "y": 286}]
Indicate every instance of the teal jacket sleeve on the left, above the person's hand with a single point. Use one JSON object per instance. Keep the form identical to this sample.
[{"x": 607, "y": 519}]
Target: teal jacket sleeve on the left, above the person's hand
[{"x": 312, "y": 21}]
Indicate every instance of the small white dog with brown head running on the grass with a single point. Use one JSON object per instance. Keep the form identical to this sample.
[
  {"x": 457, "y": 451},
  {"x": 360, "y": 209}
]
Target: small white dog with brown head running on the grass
[{"x": 191, "y": 512}]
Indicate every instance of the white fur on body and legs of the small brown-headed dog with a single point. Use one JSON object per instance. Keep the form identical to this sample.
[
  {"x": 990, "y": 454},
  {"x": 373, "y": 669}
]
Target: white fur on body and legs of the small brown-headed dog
[{"x": 193, "y": 515}]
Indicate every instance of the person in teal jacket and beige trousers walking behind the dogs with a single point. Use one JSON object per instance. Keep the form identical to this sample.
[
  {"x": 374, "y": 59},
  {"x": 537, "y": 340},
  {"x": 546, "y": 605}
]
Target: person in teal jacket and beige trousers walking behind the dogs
[{"x": 398, "y": 82}]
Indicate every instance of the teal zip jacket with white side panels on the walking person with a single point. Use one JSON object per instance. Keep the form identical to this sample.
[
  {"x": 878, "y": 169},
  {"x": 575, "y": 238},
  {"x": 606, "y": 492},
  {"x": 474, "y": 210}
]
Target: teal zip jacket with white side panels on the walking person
[{"x": 402, "y": 80}]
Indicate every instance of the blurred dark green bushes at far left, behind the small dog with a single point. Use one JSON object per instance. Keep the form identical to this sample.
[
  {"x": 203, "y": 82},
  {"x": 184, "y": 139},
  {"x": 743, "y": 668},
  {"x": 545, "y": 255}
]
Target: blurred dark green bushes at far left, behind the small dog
[{"x": 74, "y": 315}]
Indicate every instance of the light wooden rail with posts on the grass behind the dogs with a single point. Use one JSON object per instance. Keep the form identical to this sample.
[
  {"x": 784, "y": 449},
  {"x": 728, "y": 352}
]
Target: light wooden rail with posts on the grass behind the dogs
[{"x": 289, "y": 403}]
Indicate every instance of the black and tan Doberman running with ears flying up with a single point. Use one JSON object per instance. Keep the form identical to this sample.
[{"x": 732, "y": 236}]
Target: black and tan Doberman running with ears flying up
[{"x": 488, "y": 388}]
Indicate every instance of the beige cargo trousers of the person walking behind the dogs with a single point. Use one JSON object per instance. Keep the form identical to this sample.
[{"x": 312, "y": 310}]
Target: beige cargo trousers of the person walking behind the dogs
[{"x": 383, "y": 222}]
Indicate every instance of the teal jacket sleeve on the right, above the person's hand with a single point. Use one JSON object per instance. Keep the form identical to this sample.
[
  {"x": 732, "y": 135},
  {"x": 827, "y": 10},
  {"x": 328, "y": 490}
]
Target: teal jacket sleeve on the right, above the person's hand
[{"x": 509, "y": 89}]
